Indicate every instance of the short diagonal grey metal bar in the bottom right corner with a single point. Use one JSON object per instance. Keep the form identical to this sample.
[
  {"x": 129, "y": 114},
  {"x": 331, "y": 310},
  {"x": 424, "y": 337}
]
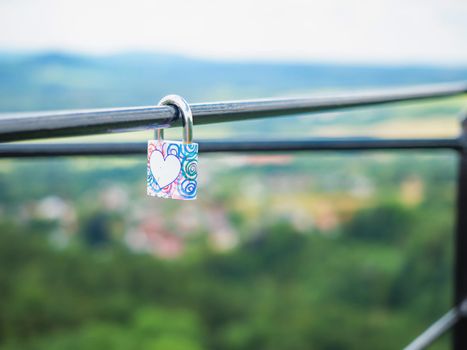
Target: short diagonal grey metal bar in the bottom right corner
[{"x": 438, "y": 328}]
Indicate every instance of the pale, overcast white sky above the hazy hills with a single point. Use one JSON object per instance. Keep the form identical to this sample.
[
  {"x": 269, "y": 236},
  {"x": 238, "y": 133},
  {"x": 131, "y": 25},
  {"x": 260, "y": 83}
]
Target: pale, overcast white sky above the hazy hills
[{"x": 365, "y": 31}]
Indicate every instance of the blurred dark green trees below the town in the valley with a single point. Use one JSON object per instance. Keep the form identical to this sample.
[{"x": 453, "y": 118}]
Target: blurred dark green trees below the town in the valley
[{"x": 376, "y": 284}]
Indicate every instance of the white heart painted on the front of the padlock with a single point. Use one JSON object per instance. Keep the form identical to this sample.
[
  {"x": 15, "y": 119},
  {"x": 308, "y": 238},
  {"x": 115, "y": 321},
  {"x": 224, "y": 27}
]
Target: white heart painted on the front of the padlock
[{"x": 165, "y": 171}]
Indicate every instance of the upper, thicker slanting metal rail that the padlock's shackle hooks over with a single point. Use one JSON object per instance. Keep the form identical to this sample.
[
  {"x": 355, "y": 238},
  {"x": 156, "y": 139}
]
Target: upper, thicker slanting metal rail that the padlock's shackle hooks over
[{"x": 34, "y": 125}]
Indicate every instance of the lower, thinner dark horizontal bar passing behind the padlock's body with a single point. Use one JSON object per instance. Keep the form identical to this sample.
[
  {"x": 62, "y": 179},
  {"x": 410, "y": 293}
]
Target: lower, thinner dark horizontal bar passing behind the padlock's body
[{"x": 12, "y": 150}]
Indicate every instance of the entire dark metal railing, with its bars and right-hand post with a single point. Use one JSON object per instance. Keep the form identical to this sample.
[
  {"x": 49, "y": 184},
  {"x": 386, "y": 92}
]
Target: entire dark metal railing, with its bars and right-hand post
[{"x": 26, "y": 126}]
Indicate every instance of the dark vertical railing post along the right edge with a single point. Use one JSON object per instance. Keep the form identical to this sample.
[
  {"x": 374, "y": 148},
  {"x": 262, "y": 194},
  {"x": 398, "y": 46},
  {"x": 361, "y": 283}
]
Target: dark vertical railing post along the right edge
[{"x": 460, "y": 259}]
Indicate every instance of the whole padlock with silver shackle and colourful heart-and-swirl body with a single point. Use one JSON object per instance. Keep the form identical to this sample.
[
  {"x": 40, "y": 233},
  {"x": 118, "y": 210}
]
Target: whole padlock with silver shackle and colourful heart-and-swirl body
[{"x": 173, "y": 165}]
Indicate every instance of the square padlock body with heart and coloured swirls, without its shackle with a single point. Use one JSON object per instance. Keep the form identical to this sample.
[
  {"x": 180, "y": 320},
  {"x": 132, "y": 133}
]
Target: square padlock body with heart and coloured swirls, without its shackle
[{"x": 172, "y": 169}]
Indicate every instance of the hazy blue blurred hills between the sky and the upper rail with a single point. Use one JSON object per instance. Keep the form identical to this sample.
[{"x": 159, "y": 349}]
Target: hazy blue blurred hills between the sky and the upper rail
[{"x": 59, "y": 80}]
